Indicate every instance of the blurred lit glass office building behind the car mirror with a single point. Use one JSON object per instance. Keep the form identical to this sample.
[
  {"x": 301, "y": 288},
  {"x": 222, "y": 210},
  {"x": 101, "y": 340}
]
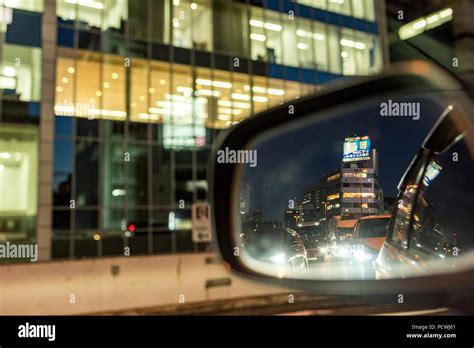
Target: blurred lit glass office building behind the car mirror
[{"x": 109, "y": 108}]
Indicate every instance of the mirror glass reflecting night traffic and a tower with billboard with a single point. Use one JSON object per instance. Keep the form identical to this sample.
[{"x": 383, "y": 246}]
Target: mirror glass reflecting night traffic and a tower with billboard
[{"x": 320, "y": 198}]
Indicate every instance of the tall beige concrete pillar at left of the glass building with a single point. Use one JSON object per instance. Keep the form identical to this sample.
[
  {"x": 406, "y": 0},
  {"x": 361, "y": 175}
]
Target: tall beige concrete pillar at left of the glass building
[{"x": 46, "y": 147}]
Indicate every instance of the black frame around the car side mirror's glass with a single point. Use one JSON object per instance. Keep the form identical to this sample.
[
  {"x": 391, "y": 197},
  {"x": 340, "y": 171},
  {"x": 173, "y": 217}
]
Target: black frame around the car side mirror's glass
[{"x": 403, "y": 77}]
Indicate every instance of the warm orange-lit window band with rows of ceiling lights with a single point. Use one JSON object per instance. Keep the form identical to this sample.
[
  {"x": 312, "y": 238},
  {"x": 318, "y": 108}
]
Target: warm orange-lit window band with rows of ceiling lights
[{"x": 93, "y": 85}]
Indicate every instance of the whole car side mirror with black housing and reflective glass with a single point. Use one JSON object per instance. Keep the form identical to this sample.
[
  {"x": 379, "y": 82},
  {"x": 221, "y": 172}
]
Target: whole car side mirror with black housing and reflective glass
[{"x": 323, "y": 163}]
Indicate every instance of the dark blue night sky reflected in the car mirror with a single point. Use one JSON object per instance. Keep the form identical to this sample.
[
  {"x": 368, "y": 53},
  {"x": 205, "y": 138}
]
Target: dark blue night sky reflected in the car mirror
[{"x": 289, "y": 161}]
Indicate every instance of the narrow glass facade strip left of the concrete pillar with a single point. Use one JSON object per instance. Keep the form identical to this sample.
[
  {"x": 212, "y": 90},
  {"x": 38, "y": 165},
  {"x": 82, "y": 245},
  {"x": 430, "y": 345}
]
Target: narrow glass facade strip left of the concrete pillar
[{"x": 20, "y": 81}]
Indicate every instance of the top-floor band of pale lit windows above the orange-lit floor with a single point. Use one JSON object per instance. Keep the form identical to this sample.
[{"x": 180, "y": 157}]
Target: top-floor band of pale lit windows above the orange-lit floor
[{"x": 254, "y": 32}]
